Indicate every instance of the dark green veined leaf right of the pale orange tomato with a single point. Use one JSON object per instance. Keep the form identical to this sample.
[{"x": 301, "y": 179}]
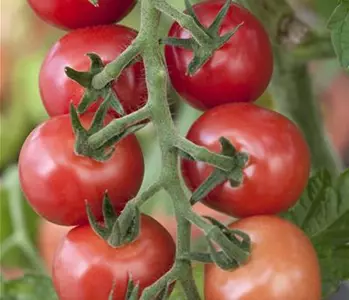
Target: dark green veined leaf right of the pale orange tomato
[{"x": 323, "y": 214}]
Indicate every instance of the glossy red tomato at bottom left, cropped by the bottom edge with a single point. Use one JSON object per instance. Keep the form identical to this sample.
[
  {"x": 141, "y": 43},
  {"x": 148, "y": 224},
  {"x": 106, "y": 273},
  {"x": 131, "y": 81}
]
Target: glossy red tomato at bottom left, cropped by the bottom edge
[{"x": 85, "y": 266}]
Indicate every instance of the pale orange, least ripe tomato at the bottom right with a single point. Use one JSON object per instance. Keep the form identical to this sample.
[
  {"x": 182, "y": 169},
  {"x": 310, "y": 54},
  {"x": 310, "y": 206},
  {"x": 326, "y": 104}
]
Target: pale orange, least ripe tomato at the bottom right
[{"x": 283, "y": 265}]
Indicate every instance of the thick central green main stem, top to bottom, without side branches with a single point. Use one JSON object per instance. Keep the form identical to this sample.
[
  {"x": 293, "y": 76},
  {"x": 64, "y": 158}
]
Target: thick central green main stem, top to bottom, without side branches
[{"x": 156, "y": 76}]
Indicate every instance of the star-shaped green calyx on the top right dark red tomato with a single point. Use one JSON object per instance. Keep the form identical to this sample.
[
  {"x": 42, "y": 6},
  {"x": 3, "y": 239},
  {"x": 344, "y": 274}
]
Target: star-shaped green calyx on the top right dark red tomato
[{"x": 203, "y": 50}]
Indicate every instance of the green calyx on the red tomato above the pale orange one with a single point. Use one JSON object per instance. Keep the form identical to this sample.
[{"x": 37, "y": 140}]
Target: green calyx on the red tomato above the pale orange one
[{"x": 218, "y": 176}]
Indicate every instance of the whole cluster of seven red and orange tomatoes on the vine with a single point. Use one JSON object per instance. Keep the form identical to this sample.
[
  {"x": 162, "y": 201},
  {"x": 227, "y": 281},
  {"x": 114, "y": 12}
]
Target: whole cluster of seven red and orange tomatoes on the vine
[{"x": 56, "y": 181}]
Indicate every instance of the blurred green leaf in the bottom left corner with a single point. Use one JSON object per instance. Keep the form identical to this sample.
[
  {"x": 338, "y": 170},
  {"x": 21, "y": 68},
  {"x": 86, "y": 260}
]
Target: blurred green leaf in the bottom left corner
[{"x": 29, "y": 287}]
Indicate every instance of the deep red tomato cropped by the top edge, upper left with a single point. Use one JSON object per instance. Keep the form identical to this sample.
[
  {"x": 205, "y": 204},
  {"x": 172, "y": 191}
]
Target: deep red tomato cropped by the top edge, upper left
[{"x": 68, "y": 14}]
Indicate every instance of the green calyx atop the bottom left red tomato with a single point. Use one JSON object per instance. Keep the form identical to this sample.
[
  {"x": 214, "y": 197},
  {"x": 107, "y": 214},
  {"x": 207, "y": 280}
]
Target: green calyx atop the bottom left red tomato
[{"x": 117, "y": 230}]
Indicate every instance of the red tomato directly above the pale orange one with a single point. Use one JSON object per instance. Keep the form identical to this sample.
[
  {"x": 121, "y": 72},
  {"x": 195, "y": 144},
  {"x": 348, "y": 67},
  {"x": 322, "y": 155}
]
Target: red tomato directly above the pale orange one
[{"x": 279, "y": 159}]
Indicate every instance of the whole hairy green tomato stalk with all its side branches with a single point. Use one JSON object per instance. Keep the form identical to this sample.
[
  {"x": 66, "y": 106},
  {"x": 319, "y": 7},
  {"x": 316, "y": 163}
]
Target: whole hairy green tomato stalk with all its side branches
[{"x": 171, "y": 144}]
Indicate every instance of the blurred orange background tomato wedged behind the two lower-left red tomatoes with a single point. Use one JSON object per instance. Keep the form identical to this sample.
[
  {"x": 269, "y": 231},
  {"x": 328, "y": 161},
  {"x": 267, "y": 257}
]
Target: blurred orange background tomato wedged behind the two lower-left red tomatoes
[{"x": 49, "y": 238}]
